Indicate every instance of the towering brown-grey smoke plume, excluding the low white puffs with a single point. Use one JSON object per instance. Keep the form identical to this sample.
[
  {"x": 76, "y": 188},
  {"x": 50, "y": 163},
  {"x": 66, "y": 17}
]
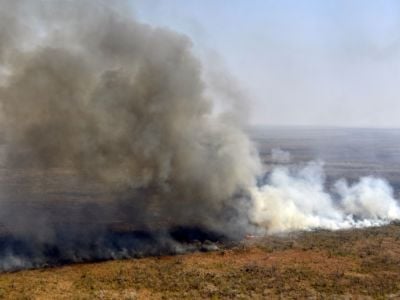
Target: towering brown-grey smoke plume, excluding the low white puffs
[{"x": 121, "y": 103}]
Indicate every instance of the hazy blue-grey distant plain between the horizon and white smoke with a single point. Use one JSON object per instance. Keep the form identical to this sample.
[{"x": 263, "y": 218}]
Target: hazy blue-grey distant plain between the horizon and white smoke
[{"x": 346, "y": 152}]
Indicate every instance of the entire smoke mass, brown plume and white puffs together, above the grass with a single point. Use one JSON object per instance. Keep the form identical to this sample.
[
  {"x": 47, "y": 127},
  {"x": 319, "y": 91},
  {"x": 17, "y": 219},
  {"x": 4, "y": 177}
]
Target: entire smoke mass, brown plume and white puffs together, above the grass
[{"x": 111, "y": 147}]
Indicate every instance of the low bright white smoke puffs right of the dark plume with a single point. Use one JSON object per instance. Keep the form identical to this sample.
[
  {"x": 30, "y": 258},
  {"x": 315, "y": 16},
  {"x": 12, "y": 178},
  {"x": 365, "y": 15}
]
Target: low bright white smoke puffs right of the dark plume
[{"x": 296, "y": 199}]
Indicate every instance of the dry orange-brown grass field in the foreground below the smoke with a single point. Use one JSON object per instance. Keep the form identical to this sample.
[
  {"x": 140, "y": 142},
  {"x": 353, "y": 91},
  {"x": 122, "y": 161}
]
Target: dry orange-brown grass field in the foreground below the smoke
[{"x": 350, "y": 264}]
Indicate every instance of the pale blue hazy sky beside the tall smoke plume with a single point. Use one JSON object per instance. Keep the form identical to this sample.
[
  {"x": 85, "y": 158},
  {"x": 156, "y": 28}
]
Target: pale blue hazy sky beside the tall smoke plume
[{"x": 310, "y": 62}]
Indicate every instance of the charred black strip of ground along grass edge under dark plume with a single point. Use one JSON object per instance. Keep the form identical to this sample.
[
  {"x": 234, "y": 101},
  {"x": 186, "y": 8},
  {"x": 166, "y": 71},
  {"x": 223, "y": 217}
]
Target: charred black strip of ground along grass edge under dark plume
[{"x": 112, "y": 243}]
